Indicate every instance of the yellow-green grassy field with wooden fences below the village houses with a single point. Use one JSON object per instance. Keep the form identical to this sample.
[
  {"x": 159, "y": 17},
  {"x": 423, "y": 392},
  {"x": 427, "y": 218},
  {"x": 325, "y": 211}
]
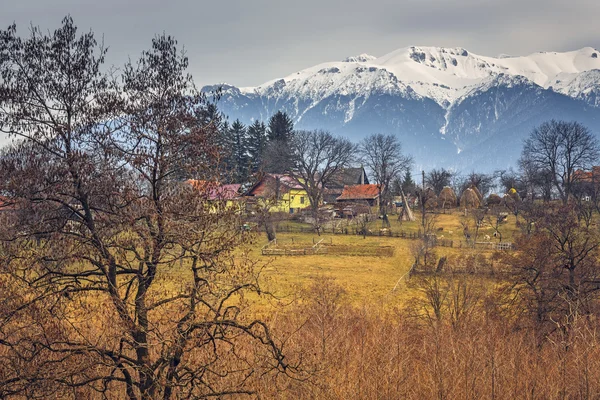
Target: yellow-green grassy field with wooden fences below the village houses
[{"x": 365, "y": 279}]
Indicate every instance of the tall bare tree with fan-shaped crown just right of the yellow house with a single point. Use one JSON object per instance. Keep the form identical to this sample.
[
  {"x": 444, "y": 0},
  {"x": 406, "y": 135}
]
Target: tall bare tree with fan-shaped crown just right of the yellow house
[{"x": 317, "y": 157}]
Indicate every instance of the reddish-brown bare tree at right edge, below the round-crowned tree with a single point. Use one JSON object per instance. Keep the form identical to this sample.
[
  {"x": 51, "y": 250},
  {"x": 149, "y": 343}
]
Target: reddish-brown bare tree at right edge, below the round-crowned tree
[{"x": 556, "y": 269}]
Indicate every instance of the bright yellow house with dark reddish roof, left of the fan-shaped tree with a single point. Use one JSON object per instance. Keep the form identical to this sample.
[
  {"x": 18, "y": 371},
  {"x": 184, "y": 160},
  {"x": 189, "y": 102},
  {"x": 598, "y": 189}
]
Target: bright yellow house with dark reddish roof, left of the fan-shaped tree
[{"x": 281, "y": 193}]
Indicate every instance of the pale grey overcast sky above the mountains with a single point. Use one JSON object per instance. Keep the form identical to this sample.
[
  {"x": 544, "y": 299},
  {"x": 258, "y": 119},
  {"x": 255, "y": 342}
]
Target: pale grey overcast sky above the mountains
[{"x": 248, "y": 42}]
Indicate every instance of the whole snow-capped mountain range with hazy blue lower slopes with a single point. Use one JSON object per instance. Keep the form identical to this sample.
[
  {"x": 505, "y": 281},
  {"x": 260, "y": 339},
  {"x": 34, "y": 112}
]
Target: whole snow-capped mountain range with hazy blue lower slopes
[{"x": 449, "y": 106}]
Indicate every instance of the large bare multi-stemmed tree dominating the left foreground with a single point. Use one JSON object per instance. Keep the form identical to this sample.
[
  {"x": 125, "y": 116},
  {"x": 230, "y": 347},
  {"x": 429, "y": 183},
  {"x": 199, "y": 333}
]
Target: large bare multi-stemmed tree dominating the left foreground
[{"x": 96, "y": 178}]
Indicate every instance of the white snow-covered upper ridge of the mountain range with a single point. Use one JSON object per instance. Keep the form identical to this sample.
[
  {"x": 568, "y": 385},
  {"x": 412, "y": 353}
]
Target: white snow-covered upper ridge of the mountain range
[{"x": 443, "y": 74}]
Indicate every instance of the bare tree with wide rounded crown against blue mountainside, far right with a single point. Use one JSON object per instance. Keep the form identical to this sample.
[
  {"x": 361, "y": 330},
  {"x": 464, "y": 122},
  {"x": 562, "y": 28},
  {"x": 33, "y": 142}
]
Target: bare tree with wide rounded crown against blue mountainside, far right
[{"x": 561, "y": 148}]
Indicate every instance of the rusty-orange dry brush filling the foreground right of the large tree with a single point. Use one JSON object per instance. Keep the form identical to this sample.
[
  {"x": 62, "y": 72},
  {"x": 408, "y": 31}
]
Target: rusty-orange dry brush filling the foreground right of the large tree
[{"x": 471, "y": 352}]
